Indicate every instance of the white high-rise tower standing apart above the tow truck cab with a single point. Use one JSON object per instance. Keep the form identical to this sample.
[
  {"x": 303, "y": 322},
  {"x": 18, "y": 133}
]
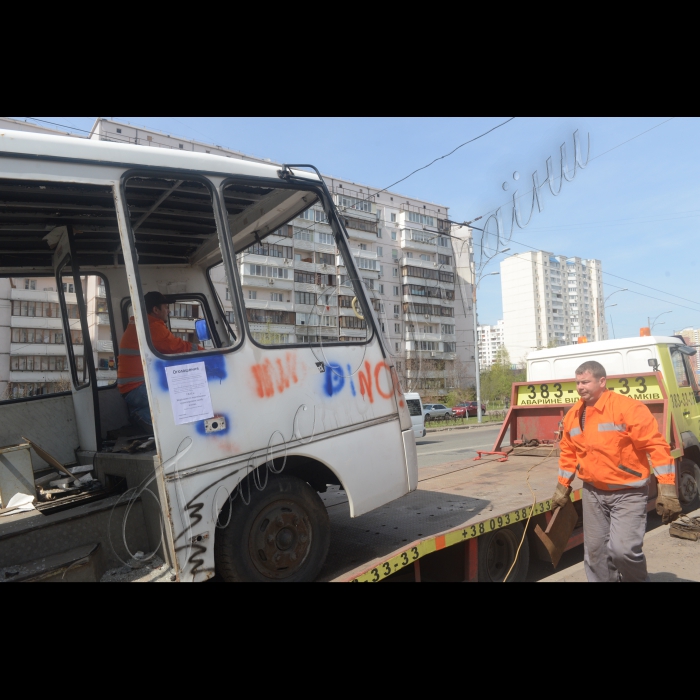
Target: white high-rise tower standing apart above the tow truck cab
[{"x": 550, "y": 300}]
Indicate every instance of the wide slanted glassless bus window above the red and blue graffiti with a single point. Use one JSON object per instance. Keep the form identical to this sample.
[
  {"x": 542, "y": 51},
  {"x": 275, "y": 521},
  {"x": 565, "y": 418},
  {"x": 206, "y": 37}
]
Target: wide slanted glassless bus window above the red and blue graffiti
[{"x": 296, "y": 287}]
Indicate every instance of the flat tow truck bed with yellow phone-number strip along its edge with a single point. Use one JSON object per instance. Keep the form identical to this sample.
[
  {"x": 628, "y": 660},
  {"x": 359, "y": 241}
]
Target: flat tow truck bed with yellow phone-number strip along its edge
[{"x": 455, "y": 504}]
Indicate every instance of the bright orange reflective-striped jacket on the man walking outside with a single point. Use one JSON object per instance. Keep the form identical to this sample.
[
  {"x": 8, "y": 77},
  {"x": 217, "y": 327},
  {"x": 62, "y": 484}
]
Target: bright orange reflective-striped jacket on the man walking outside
[{"x": 619, "y": 444}]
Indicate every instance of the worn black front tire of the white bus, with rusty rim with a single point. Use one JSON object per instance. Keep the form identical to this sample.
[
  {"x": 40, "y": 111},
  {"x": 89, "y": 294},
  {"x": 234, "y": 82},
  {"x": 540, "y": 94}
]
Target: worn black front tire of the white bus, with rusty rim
[{"x": 282, "y": 535}]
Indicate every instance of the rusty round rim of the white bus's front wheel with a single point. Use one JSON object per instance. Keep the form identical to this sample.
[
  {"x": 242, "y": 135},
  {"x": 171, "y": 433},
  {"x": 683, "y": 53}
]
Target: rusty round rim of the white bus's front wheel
[{"x": 280, "y": 539}]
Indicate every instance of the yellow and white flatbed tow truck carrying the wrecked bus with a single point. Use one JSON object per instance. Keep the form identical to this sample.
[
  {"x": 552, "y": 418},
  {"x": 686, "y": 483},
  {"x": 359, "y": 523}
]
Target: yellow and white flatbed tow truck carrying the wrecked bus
[{"x": 467, "y": 519}]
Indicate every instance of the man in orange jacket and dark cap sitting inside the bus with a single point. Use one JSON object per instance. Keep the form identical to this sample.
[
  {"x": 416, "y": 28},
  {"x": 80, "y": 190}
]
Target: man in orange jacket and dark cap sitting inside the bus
[{"x": 130, "y": 379}]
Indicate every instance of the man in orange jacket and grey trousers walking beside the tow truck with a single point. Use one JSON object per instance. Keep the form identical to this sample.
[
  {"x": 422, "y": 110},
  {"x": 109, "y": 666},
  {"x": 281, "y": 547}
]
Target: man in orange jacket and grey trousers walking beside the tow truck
[{"x": 613, "y": 441}]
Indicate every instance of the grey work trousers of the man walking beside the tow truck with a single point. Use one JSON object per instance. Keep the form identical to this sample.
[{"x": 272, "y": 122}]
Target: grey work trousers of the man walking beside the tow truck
[{"x": 613, "y": 532}]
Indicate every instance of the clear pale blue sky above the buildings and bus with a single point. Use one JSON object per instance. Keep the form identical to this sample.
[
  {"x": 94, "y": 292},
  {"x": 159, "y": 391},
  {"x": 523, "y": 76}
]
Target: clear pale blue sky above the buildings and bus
[{"x": 634, "y": 208}]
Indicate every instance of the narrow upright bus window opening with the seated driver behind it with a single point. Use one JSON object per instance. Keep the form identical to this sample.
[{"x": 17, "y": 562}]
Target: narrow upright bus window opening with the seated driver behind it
[{"x": 181, "y": 211}]
